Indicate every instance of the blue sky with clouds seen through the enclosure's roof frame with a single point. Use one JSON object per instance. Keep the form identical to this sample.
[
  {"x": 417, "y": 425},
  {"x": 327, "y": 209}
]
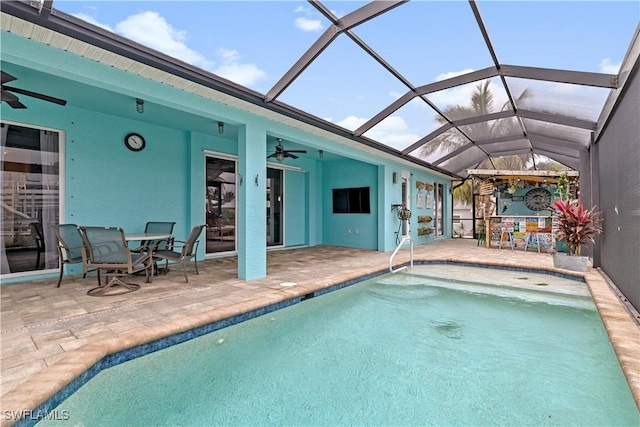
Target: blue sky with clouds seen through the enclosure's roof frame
[{"x": 254, "y": 43}]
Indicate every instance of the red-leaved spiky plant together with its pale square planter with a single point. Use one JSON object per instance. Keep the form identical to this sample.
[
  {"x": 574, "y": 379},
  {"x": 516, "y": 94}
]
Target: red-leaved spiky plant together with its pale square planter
[{"x": 576, "y": 227}]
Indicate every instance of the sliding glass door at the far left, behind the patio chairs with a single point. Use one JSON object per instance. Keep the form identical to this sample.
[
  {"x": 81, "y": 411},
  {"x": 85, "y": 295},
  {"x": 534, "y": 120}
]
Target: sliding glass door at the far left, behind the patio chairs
[{"x": 30, "y": 172}]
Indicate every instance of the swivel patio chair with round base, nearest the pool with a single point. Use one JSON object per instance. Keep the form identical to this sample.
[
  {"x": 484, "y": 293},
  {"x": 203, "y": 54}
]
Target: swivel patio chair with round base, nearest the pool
[{"x": 107, "y": 250}]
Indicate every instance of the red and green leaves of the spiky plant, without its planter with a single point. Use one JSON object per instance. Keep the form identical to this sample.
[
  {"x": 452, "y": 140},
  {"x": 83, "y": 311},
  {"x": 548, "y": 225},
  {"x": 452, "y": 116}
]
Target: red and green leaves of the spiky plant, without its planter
[{"x": 577, "y": 225}]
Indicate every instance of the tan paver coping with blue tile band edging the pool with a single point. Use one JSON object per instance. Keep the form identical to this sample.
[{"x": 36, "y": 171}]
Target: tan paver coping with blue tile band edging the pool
[{"x": 50, "y": 387}]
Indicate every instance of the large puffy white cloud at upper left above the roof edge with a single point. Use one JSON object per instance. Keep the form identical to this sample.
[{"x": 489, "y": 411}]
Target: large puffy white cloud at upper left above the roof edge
[{"x": 152, "y": 30}]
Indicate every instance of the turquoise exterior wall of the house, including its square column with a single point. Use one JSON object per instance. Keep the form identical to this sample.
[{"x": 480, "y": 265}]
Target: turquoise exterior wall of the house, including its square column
[{"x": 107, "y": 184}]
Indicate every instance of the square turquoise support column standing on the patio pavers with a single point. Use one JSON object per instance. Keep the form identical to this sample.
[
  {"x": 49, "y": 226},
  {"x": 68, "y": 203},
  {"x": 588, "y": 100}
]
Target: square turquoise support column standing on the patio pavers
[{"x": 252, "y": 202}]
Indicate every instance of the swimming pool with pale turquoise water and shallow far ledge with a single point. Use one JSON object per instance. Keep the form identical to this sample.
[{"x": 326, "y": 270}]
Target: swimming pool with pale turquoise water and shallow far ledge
[{"x": 418, "y": 349}]
